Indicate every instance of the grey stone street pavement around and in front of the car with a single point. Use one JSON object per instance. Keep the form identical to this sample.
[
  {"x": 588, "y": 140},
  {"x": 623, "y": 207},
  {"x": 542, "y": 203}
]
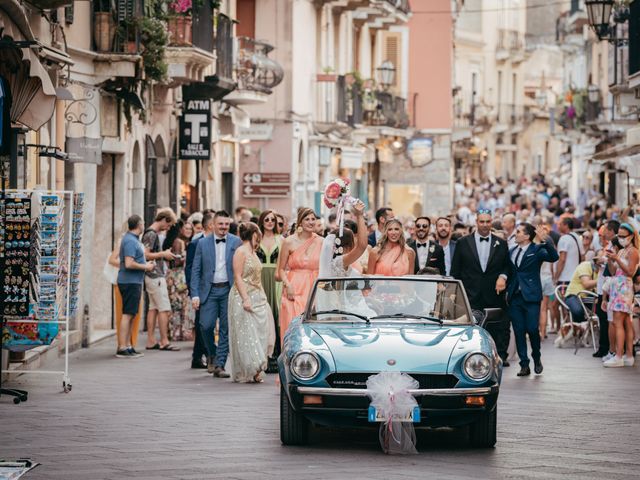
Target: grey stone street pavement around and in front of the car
[{"x": 154, "y": 418}]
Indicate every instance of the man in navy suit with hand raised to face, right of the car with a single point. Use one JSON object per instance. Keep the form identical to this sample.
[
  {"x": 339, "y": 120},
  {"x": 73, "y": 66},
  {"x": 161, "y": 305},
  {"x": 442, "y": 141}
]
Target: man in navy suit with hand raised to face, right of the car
[{"x": 524, "y": 291}]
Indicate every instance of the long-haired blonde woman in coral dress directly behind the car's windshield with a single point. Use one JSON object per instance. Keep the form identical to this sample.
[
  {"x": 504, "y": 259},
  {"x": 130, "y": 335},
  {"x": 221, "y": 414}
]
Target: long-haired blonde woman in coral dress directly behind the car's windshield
[{"x": 391, "y": 257}]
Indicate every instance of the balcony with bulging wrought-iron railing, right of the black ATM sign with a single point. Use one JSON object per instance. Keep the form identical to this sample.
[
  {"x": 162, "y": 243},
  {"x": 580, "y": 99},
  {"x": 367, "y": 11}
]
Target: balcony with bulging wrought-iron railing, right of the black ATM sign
[{"x": 255, "y": 72}]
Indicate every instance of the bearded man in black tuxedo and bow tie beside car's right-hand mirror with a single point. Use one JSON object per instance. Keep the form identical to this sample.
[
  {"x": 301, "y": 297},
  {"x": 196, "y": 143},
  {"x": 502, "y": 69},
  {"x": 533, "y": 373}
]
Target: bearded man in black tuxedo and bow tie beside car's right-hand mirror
[{"x": 481, "y": 262}]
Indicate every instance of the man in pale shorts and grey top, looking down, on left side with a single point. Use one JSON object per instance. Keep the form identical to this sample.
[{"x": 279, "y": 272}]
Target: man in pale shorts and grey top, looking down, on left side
[{"x": 155, "y": 282}]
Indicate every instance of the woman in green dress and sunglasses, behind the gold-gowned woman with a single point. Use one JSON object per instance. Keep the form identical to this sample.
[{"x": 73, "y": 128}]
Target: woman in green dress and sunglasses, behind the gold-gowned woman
[{"x": 268, "y": 252}]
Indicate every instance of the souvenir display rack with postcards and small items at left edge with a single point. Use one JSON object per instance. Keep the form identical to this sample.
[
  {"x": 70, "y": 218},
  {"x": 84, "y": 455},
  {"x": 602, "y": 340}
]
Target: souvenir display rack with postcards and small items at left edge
[{"x": 33, "y": 318}]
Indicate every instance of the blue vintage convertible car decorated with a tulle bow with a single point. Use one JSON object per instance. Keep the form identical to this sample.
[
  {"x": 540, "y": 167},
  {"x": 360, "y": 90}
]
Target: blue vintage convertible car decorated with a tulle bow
[{"x": 357, "y": 327}]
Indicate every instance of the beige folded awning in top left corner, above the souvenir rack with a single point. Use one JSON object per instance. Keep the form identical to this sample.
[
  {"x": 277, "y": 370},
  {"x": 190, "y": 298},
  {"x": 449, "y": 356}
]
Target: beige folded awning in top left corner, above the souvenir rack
[{"x": 32, "y": 93}]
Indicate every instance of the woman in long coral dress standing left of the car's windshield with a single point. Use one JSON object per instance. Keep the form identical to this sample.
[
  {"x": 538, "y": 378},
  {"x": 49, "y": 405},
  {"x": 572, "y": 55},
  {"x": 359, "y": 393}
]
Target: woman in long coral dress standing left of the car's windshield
[{"x": 298, "y": 266}]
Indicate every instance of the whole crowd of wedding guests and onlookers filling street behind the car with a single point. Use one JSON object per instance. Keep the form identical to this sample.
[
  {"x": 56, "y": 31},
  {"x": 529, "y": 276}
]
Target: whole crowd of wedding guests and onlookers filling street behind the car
[{"x": 233, "y": 285}]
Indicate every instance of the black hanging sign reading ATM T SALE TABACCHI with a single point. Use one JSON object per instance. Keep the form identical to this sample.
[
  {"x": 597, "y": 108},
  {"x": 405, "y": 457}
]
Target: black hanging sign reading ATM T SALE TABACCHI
[{"x": 195, "y": 130}]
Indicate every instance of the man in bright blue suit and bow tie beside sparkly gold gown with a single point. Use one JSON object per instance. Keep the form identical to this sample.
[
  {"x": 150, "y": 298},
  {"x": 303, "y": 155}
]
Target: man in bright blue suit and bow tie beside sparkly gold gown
[{"x": 211, "y": 281}]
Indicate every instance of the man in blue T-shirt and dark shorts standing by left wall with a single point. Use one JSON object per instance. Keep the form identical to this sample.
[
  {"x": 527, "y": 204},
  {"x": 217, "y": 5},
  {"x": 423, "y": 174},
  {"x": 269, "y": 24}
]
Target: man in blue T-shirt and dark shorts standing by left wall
[{"x": 130, "y": 278}]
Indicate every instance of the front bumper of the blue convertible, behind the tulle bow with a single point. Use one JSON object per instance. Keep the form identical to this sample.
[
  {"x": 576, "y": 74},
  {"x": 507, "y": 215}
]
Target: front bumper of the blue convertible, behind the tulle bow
[{"x": 349, "y": 406}]
